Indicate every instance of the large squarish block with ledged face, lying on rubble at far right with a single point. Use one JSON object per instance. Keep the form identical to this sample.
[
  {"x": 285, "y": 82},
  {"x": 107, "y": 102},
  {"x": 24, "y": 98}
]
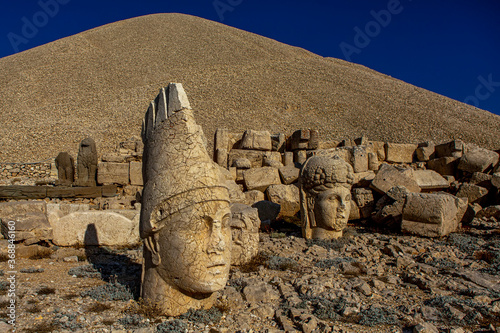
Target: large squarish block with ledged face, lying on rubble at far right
[{"x": 431, "y": 215}]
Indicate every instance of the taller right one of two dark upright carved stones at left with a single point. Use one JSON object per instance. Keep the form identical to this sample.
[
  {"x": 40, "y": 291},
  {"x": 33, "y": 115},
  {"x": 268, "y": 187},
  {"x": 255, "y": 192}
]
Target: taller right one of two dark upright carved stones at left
[{"x": 86, "y": 164}]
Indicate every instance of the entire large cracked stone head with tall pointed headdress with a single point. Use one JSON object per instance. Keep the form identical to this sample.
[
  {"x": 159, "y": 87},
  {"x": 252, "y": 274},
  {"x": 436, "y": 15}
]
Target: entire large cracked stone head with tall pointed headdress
[{"x": 185, "y": 216}]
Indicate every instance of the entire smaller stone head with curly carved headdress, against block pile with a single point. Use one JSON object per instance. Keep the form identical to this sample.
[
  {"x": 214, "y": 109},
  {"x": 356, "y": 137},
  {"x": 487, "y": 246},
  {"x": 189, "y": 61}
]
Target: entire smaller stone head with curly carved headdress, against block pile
[{"x": 325, "y": 196}]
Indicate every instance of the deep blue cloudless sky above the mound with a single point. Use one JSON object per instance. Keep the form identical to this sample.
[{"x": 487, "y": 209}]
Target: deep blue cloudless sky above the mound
[{"x": 451, "y": 47}]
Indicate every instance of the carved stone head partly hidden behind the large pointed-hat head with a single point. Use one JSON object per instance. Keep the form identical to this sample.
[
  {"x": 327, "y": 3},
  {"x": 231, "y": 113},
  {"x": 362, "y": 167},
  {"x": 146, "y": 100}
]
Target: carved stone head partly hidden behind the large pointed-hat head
[{"x": 245, "y": 224}]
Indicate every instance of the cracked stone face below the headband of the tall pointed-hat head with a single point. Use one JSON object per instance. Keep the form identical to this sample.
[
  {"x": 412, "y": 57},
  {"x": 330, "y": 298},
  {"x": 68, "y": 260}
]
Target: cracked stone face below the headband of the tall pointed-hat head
[{"x": 195, "y": 247}]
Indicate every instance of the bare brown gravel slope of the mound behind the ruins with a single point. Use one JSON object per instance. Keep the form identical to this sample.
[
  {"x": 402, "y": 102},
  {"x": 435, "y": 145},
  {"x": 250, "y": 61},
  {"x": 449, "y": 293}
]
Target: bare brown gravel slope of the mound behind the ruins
[{"x": 98, "y": 83}]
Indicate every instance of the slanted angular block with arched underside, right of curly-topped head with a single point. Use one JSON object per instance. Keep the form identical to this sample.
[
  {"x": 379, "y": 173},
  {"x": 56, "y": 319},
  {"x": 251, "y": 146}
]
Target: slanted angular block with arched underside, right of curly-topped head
[{"x": 389, "y": 176}]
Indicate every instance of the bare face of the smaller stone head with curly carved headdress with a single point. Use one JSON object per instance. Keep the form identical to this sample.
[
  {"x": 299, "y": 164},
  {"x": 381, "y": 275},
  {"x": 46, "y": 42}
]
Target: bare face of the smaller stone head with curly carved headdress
[{"x": 331, "y": 208}]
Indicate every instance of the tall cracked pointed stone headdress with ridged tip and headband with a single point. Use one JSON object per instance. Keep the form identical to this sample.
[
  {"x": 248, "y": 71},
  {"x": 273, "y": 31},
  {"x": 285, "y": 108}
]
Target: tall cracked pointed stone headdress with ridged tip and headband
[{"x": 178, "y": 172}]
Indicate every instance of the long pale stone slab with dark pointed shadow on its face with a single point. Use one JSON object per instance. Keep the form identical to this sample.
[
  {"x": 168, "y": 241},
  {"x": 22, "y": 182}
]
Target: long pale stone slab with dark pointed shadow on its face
[{"x": 96, "y": 228}]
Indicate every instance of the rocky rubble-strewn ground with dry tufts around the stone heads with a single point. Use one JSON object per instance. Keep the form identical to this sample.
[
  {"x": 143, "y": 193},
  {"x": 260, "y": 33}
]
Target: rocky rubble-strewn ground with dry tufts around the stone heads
[{"x": 369, "y": 281}]
